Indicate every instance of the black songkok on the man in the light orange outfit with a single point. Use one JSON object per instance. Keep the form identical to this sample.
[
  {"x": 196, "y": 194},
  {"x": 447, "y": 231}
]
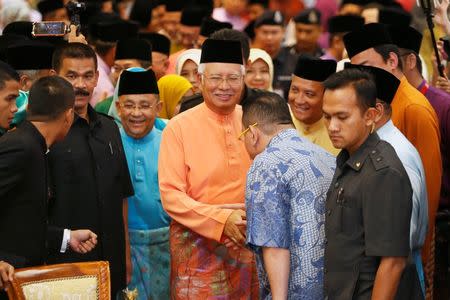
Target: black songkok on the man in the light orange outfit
[{"x": 221, "y": 51}]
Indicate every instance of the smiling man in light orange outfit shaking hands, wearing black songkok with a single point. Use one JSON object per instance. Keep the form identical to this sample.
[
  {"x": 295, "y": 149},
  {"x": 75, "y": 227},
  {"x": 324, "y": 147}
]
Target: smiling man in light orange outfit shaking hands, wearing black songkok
[{"x": 202, "y": 174}]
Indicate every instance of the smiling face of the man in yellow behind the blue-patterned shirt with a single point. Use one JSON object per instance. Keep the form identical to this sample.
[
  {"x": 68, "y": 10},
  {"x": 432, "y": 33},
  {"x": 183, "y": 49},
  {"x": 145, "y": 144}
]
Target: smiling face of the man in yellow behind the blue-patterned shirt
[{"x": 305, "y": 99}]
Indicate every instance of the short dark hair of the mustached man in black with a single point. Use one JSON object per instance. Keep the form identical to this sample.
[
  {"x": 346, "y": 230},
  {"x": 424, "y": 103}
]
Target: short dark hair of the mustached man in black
[{"x": 72, "y": 50}]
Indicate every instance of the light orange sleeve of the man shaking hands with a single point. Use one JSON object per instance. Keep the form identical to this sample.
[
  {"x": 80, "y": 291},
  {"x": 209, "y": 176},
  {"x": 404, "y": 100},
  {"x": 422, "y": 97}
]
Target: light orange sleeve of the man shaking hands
[{"x": 205, "y": 219}]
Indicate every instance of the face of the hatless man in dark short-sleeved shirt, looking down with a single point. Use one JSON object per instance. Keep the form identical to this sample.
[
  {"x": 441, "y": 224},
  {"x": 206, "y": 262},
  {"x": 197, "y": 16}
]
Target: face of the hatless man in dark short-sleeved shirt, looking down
[{"x": 348, "y": 125}]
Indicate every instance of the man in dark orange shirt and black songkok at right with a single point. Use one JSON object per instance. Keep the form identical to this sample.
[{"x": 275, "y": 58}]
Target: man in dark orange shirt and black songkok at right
[{"x": 412, "y": 114}]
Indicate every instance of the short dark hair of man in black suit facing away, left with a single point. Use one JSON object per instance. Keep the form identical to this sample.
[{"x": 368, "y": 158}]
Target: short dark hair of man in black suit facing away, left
[{"x": 50, "y": 96}]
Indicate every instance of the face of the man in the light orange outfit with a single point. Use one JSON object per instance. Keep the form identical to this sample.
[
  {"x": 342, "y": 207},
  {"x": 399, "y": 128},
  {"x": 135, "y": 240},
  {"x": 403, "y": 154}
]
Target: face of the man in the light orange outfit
[{"x": 222, "y": 95}]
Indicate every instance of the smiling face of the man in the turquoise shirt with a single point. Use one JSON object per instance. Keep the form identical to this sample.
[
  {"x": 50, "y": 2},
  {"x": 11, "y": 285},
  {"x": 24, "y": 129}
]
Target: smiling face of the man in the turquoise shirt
[{"x": 138, "y": 113}]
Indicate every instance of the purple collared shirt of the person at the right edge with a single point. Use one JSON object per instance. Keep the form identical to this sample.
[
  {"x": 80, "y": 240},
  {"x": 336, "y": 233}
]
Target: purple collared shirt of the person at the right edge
[{"x": 440, "y": 101}]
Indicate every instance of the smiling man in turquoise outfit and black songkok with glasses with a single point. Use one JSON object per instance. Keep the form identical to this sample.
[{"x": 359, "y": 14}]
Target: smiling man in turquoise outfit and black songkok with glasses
[{"x": 138, "y": 105}]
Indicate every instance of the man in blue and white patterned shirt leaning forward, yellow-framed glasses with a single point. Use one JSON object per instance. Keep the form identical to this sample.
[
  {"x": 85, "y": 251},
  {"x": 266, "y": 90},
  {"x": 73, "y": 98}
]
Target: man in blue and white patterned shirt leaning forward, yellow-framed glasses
[{"x": 285, "y": 200}]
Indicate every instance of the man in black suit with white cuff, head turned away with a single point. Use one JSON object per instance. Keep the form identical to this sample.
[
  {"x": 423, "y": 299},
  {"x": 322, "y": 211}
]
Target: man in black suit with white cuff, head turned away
[{"x": 24, "y": 179}]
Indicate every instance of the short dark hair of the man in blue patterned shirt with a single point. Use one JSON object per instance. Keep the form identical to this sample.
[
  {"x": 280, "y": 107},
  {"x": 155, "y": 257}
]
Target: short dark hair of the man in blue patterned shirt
[{"x": 268, "y": 110}]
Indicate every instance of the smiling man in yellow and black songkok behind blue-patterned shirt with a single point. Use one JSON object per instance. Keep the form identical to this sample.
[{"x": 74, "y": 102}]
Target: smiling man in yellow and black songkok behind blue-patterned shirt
[{"x": 306, "y": 98}]
